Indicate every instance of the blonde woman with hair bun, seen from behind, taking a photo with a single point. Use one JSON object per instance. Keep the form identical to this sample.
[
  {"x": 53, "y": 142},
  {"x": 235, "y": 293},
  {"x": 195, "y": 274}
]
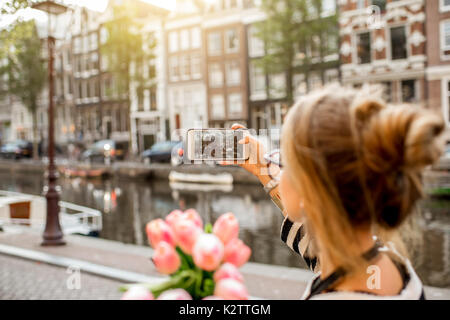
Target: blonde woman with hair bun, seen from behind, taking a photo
[{"x": 351, "y": 176}]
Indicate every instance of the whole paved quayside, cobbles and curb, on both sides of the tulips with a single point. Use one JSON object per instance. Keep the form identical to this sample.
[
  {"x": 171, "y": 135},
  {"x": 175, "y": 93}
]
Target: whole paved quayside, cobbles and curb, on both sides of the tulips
[{"x": 105, "y": 265}]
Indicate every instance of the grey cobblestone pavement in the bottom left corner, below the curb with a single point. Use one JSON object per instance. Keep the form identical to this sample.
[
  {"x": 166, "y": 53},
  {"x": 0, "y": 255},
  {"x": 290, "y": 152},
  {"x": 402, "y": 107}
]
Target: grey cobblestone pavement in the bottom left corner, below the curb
[{"x": 29, "y": 280}]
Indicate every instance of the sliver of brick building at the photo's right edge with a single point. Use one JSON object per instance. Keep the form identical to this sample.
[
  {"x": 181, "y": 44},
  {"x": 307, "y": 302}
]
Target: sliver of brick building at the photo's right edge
[{"x": 438, "y": 52}]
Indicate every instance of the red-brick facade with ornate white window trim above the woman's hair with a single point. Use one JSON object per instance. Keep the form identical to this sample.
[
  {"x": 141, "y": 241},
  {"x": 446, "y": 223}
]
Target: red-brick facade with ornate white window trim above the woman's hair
[{"x": 385, "y": 45}]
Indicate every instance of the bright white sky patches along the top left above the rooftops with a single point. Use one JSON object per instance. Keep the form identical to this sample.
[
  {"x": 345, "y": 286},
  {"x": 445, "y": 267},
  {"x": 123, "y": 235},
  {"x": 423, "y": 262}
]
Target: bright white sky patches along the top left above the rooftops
[{"x": 97, "y": 5}]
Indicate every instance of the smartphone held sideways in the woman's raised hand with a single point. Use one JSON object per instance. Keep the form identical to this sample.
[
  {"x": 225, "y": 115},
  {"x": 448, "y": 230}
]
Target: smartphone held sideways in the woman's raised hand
[{"x": 216, "y": 144}]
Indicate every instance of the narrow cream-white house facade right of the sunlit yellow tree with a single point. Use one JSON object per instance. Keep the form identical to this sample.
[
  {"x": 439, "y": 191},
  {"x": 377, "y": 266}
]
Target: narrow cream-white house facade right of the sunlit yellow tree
[{"x": 186, "y": 89}]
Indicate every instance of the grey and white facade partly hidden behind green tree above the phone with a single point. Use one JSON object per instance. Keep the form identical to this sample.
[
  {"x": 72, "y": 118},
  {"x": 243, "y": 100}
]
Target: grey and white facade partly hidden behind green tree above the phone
[{"x": 268, "y": 103}]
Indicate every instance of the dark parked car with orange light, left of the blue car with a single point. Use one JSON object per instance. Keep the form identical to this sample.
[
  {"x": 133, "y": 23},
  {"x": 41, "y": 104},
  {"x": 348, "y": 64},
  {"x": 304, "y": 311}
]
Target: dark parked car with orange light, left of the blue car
[{"x": 104, "y": 150}]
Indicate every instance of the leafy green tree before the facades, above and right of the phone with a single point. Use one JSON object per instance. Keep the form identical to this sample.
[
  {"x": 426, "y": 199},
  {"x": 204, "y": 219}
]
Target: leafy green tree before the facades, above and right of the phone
[{"x": 297, "y": 36}]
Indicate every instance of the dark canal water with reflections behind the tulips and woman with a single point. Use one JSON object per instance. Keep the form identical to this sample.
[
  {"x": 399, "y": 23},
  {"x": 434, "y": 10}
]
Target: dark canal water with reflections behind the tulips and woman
[{"x": 127, "y": 205}]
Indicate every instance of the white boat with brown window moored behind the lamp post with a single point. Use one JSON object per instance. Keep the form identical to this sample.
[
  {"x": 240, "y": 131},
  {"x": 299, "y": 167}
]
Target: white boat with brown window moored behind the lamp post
[{"x": 19, "y": 211}]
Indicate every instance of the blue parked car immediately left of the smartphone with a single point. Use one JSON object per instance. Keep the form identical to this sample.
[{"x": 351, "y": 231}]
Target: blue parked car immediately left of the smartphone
[{"x": 166, "y": 151}]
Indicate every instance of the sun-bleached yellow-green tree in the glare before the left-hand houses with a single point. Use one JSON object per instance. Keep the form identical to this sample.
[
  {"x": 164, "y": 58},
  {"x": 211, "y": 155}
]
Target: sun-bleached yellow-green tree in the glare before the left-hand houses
[{"x": 128, "y": 50}]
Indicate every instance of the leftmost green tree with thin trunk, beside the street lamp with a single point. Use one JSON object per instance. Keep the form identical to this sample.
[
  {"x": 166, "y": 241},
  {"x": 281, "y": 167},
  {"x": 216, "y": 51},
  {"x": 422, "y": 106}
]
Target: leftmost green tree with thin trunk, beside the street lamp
[{"x": 26, "y": 71}]
